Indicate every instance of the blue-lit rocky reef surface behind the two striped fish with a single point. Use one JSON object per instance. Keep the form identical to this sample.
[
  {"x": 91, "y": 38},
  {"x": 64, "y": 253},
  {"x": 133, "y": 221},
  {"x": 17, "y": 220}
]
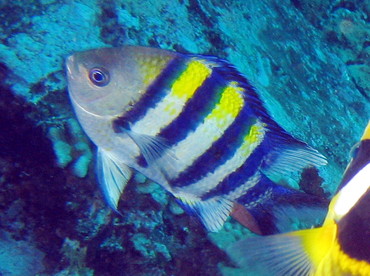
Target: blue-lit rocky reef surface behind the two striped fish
[{"x": 309, "y": 61}]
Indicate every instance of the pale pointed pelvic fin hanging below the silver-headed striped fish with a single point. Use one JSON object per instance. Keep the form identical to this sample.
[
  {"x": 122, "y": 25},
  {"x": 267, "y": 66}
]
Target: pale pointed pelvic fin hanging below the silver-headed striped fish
[{"x": 113, "y": 176}]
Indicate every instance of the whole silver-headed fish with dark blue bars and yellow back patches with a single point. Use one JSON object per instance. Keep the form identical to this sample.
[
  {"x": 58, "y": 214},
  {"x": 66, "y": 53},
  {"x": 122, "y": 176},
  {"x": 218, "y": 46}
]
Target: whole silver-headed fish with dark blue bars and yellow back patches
[{"x": 191, "y": 123}]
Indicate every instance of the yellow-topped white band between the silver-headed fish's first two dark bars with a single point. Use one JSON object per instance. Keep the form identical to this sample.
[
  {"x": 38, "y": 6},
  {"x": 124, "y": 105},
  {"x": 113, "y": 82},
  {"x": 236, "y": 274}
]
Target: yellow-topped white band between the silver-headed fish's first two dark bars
[{"x": 174, "y": 102}]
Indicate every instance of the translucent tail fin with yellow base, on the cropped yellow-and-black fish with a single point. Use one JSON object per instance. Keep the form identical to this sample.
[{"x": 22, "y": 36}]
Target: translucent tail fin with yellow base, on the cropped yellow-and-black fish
[{"x": 295, "y": 253}]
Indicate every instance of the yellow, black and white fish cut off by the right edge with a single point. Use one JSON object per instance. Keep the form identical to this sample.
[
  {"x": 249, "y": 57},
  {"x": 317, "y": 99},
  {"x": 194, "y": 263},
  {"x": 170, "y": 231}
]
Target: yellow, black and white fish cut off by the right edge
[{"x": 341, "y": 246}]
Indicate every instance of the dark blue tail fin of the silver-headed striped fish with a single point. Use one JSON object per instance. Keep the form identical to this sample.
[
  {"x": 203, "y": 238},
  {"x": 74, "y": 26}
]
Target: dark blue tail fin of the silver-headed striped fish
[{"x": 277, "y": 209}]
